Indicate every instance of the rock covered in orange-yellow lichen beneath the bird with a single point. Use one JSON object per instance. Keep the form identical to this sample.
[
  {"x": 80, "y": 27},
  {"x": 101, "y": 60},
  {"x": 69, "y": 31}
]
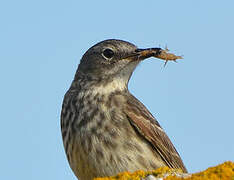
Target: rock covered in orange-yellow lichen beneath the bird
[{"x": 223, "y": 171}]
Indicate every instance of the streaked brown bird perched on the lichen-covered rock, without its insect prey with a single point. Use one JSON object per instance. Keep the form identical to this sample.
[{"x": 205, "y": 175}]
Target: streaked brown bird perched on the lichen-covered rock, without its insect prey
[{"x": 105, "y": 129}]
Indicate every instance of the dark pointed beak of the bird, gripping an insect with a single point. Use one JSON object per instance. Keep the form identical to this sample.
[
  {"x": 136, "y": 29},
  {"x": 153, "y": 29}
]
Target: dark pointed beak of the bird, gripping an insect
[{"x": 141, "y": 54}]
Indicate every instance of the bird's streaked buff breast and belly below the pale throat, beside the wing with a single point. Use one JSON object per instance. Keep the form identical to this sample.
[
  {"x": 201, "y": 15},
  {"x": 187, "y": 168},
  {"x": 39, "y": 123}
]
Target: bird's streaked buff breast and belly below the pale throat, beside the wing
[{"x": 103, "y": 141}]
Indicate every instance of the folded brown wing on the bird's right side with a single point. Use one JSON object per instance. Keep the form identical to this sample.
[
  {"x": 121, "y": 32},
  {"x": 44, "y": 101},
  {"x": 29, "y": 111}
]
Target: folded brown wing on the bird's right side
[{"x": 147, "y": 126}]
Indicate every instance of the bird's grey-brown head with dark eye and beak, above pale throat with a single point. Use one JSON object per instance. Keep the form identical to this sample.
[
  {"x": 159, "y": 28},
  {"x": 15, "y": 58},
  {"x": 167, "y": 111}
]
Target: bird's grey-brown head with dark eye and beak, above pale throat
[{"x": 112, "y": 59}]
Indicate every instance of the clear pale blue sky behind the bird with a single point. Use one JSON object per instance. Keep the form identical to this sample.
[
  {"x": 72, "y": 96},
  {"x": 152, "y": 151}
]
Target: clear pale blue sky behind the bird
[{"x": 41, "y": 43}]
